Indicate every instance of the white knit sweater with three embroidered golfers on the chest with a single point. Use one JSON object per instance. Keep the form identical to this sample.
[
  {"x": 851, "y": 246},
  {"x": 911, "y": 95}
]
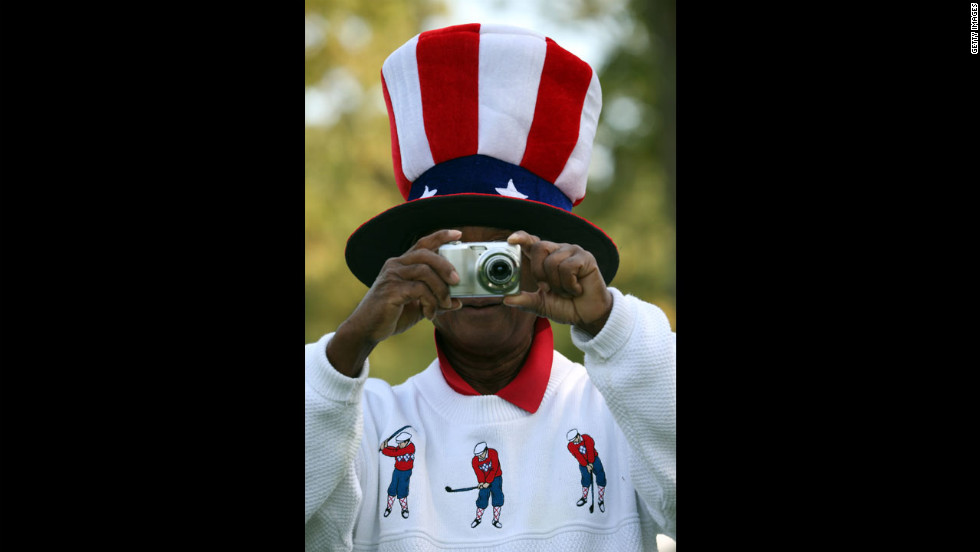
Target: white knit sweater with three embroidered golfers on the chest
[{"x": 624, "y": 398}]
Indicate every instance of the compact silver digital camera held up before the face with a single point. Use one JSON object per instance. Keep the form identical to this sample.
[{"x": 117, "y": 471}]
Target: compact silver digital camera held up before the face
[{"x": 486, "y": 269}]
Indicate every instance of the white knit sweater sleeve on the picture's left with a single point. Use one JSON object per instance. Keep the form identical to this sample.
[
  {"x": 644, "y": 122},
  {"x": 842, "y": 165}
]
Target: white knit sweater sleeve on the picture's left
[{"x": 333, "y": 435}]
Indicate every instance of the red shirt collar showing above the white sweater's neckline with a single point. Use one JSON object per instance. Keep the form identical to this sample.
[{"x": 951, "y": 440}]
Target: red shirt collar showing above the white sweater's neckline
[{"x": 526, "y": 391}]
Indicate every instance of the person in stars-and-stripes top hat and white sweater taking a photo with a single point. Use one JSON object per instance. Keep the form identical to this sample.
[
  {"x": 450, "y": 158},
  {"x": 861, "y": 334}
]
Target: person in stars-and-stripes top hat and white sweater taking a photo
[{"x": 492, "y": 131}]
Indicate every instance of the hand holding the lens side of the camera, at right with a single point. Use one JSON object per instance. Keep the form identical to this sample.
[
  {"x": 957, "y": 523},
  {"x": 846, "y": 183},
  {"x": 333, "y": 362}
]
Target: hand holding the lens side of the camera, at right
[{"x": 570, "y": 288}]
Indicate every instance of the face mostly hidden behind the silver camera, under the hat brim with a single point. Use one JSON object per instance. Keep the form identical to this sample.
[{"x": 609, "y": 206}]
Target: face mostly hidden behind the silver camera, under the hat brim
[{"x": 485, "y": 321}]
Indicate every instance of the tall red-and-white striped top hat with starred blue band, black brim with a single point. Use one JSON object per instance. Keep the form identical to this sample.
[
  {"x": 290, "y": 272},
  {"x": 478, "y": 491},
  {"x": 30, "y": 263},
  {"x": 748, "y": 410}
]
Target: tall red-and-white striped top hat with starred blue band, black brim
[{"x": 491, "y": 125}]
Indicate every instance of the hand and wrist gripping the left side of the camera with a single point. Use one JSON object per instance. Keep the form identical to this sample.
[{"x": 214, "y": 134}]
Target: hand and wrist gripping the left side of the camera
[{"x": 408, "y": 288}]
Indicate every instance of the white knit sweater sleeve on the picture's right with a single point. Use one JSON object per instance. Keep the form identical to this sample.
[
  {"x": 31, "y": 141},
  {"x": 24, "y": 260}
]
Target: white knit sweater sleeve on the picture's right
[{"x": 632, "y": 362}]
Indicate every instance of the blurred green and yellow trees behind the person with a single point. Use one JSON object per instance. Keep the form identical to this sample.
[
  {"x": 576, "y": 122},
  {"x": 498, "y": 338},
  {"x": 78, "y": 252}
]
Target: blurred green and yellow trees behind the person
[{"x": 349, "y": 178}]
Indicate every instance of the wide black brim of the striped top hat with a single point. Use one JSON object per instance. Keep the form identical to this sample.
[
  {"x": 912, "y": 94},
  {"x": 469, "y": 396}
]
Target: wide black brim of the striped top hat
[{"x": 394, "y": 231}]
